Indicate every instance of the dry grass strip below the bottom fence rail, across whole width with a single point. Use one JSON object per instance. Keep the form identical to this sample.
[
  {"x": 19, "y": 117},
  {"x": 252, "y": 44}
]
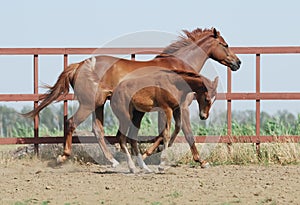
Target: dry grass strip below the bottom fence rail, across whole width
[{"x": 216, "y": 154}]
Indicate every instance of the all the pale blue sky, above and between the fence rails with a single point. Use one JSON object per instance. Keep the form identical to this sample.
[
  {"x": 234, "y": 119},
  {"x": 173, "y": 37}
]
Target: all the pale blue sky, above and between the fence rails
[{"x": 93, "y": 23}]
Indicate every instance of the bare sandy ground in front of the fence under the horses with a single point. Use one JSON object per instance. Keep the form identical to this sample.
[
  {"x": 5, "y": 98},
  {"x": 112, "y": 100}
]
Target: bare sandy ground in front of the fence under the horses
[{"x": 32, "y": 181}]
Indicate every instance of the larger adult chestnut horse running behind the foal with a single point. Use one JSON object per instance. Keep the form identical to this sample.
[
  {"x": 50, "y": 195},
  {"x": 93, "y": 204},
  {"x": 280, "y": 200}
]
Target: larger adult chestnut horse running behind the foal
[{"x": 89, "y": 77}]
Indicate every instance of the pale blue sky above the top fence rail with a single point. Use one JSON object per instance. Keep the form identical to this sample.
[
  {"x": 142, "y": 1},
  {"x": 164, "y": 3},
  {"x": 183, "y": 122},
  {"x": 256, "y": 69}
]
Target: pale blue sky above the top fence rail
[{"x": 76, "y": 23}]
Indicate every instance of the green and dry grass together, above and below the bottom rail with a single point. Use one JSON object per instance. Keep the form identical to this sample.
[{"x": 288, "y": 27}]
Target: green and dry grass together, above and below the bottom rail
[{"x": 282, "y": 123}]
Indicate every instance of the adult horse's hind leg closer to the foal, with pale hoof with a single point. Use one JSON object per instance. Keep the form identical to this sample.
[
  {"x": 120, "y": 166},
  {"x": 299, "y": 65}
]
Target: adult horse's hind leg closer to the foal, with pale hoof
[{"x": 99, "y": 132}]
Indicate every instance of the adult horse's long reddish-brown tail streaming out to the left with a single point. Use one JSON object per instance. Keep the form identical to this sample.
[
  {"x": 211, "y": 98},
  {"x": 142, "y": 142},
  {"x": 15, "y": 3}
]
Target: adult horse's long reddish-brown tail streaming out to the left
[{"x": 60, "y": 88}]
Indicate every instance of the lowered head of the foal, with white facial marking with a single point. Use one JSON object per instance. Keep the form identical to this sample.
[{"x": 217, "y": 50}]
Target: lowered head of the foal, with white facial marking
[{"x": 207, "y": 98}]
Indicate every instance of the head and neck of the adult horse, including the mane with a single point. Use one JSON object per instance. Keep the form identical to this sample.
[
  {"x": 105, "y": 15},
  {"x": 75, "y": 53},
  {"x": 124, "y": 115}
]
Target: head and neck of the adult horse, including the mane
[{"x": 195, "y": 47}]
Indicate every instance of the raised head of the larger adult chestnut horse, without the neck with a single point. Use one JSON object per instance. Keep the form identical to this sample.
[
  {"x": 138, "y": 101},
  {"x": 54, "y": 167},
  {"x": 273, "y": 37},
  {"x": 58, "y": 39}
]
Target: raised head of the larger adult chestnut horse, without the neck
[{"x": 221, "y": 52}]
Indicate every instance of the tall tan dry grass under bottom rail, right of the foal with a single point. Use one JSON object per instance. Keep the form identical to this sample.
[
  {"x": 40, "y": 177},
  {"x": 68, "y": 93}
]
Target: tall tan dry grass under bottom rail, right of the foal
[{"x": 244, "y": 154}]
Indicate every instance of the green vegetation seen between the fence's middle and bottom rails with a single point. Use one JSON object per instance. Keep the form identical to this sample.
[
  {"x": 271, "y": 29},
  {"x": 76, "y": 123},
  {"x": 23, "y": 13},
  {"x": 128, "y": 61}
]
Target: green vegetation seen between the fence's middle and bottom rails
[{"x": 243, "y": 123}]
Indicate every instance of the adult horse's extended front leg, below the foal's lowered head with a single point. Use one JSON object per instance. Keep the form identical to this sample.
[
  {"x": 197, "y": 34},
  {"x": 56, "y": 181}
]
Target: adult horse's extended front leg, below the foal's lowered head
[{"x": 187, "y": 130}]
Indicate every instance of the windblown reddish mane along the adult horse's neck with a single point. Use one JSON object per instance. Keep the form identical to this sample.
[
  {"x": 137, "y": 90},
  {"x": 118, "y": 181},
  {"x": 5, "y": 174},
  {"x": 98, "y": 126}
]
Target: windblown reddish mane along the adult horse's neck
[{"x": 186, "y": 39}]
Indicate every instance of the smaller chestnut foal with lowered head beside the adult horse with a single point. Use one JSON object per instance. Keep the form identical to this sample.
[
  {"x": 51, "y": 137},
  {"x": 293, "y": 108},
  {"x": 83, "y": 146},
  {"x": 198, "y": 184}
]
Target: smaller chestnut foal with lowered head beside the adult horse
[{"x": 157, "y": 89}]
